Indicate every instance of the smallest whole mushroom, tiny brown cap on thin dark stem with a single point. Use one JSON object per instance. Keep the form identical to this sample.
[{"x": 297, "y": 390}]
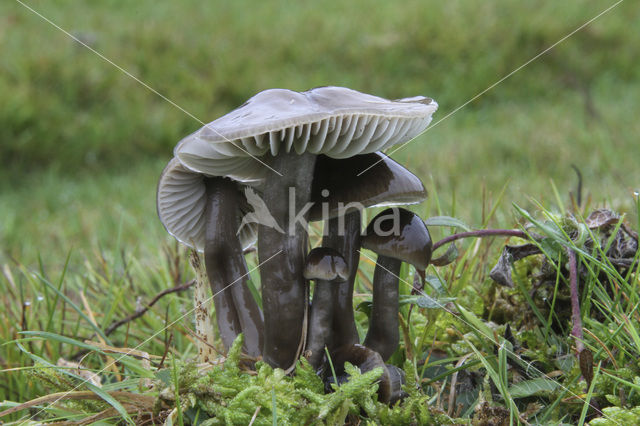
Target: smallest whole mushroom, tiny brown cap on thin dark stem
[{"x": 326, "y": 266}]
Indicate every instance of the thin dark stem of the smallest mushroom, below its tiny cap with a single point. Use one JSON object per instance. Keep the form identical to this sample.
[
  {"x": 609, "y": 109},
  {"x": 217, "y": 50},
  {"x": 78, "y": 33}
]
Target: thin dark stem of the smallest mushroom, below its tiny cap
[{"x": 320, "y": 316}]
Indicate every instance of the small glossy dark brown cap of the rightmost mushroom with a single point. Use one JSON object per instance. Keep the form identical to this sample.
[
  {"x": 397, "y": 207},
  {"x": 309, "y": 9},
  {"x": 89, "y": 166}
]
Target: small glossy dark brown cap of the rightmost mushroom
[{"x": 399, "y": 234}]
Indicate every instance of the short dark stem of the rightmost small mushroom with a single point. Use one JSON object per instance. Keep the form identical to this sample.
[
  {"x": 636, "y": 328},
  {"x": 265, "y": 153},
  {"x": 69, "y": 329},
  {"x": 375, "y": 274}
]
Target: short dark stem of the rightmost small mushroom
[{"x": 383, "y": 335}]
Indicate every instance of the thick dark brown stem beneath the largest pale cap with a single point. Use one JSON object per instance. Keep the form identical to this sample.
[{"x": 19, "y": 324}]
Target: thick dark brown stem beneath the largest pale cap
[{"x": 284, "y": 291}]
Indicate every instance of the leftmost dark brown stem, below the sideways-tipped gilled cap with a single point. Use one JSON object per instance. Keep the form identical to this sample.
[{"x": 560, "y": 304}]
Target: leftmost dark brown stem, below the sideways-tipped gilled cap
[{"x": 236, "y": 309}]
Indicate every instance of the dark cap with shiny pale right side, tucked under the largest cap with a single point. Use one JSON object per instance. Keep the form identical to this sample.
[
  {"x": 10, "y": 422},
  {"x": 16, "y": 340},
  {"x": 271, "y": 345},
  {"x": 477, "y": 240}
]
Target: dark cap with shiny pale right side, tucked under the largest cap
[{"x": 342, "y": 181}]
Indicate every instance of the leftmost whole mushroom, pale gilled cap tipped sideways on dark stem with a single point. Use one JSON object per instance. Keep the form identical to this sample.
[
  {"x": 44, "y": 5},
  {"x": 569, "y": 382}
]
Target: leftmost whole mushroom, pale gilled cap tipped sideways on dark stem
[{"x": 204, "y": 213}]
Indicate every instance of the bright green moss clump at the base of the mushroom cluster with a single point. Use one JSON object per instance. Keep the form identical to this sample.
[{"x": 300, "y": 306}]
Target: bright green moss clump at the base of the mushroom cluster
[{"x": 228, "y": 394}]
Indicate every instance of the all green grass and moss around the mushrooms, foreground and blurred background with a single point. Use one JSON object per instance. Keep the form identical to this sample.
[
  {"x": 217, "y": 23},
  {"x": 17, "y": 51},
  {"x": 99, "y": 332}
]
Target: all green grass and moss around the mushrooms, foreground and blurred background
[{"x": 82, "y": 146}]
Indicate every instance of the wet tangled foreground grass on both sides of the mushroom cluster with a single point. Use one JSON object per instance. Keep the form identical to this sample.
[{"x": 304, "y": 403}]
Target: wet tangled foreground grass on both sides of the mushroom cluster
[{"x": 455, "y": 343}]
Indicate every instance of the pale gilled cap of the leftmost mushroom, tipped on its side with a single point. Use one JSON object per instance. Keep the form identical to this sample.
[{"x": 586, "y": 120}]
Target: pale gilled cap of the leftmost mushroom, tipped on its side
[{"x": 180, "y": 202}]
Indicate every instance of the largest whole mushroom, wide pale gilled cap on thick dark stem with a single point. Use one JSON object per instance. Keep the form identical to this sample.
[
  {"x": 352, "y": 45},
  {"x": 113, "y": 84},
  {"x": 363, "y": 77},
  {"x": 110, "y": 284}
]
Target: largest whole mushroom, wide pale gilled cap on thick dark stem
[{"x": 286, "y": 130}]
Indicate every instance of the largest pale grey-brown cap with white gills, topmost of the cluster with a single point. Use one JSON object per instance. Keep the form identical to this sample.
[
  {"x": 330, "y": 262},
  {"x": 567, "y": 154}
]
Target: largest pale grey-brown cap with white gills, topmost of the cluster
[{"x": 335, "y": 121}]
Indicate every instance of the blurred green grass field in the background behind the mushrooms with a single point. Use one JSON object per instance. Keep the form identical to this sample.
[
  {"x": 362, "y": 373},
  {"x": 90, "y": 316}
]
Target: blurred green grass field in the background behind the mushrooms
[{"x": 82, "y": 144}]
